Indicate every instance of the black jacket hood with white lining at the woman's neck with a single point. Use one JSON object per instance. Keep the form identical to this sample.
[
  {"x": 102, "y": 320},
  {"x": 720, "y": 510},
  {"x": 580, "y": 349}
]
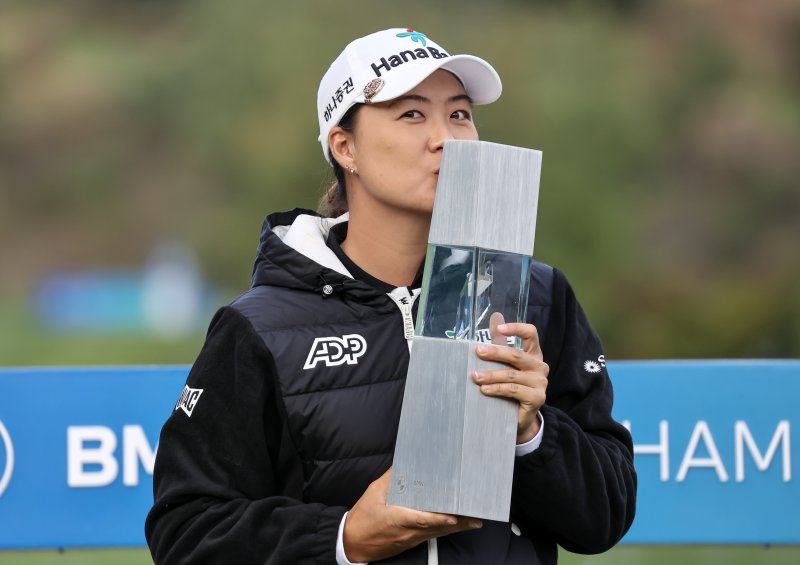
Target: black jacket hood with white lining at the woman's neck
[{"x": 292, "y": 253}]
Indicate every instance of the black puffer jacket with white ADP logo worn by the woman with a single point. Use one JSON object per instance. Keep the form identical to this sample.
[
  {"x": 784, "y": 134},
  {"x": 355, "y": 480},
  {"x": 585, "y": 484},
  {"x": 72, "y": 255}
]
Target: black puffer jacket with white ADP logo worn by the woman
[{"x": 302, "y": 381}]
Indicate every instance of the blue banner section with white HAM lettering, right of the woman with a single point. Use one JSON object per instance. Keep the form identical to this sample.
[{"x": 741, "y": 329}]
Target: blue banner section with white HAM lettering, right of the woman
[{"x": 714, "y": 449}]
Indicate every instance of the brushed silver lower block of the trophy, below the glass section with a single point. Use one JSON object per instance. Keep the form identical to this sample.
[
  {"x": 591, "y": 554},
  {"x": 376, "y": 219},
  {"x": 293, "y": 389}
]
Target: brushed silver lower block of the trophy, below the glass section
[{"x": 455, "y": 446}]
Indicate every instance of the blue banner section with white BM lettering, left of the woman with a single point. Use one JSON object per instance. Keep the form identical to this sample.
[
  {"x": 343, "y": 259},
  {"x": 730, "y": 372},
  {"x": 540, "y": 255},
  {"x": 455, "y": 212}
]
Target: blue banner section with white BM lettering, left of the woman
[{"x": 77, "y": 453}]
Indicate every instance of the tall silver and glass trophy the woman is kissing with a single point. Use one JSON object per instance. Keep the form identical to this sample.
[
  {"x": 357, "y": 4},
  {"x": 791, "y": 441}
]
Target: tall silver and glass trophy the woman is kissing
[{"x": 455, "y": 447}]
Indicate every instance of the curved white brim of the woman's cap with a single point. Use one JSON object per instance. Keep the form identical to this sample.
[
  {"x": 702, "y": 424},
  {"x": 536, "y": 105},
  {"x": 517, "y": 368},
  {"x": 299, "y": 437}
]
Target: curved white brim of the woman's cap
[{"x": 481, "y": 82}]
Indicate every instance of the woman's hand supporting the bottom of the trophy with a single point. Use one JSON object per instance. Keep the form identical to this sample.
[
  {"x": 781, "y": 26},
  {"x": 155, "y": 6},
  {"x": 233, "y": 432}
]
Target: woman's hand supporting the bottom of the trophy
[{"x": 374, "y": 530}]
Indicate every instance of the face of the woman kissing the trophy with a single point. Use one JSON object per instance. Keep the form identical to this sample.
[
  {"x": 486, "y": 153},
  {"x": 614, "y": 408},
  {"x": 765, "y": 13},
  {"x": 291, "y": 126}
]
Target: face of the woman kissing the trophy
[{"x": 396, "y": 146}]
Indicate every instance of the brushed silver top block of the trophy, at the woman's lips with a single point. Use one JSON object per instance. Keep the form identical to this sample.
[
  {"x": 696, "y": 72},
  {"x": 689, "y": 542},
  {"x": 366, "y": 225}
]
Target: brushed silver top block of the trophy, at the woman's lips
[{"x": 487, "y": 197}]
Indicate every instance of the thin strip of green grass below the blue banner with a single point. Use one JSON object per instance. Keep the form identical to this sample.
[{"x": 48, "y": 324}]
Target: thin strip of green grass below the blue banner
[{"x": 622, "y": 555}]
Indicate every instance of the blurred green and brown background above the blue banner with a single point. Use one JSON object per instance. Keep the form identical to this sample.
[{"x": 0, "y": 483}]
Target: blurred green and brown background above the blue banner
[{"x": 142, "y": 142}]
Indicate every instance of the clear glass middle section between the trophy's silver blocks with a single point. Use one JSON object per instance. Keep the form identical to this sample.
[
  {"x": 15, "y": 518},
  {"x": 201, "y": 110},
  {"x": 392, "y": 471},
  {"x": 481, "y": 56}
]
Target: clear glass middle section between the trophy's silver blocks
[{"x": 467, "y": 290}]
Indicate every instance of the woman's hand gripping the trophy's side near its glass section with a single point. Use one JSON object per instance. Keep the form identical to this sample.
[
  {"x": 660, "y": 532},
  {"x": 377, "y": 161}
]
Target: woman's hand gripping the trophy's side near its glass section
[{"x": 525, "y": 380}]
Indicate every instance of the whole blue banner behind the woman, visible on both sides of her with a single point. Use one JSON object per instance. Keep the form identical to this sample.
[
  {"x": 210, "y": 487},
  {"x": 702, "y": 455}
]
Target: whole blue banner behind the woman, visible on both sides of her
[{"x": 713, "y": 440}]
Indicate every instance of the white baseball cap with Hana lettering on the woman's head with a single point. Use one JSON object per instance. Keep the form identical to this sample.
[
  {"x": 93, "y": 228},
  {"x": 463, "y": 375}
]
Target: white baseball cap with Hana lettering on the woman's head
[{"x": 389, "y": 63}]
